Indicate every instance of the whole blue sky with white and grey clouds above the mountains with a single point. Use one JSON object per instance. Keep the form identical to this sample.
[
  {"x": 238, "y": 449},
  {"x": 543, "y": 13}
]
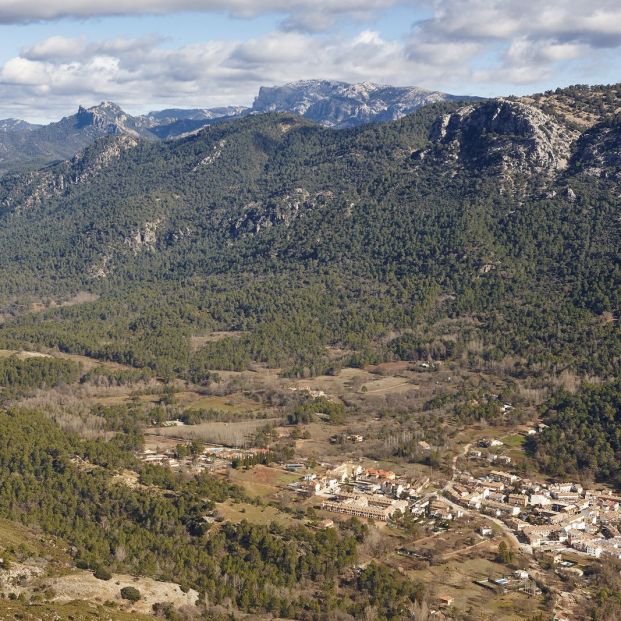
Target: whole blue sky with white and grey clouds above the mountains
[{"x": 152, "y": 54}]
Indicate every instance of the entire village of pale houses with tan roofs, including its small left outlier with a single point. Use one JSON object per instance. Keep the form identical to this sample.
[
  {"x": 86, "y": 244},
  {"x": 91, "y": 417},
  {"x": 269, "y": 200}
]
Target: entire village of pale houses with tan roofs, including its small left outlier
[{"x": 553, "y": 517}]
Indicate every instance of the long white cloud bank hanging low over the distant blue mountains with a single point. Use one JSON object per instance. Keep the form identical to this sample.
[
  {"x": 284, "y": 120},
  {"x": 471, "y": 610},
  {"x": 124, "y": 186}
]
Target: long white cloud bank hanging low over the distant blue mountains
[{"x": 140, "y": 71}]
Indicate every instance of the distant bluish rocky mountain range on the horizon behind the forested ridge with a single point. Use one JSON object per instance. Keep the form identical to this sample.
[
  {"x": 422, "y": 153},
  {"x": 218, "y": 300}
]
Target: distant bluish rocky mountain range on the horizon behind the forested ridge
[{"x": 333, "y": 104}]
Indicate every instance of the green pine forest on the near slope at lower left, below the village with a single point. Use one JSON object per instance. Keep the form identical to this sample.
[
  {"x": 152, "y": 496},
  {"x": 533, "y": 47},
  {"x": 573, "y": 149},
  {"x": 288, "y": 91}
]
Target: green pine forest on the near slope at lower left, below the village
[{"x": 158, "y": 530}]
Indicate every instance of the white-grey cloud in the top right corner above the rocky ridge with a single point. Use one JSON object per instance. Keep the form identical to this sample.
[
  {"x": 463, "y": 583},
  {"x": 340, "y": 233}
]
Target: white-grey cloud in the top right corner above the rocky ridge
[{"x": 520, "y": 41}]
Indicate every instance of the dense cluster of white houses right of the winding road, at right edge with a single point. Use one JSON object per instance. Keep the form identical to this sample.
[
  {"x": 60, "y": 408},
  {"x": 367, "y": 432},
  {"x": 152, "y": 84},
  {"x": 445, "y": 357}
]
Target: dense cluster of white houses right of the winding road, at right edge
[{"x": 553, "y": 515}]
